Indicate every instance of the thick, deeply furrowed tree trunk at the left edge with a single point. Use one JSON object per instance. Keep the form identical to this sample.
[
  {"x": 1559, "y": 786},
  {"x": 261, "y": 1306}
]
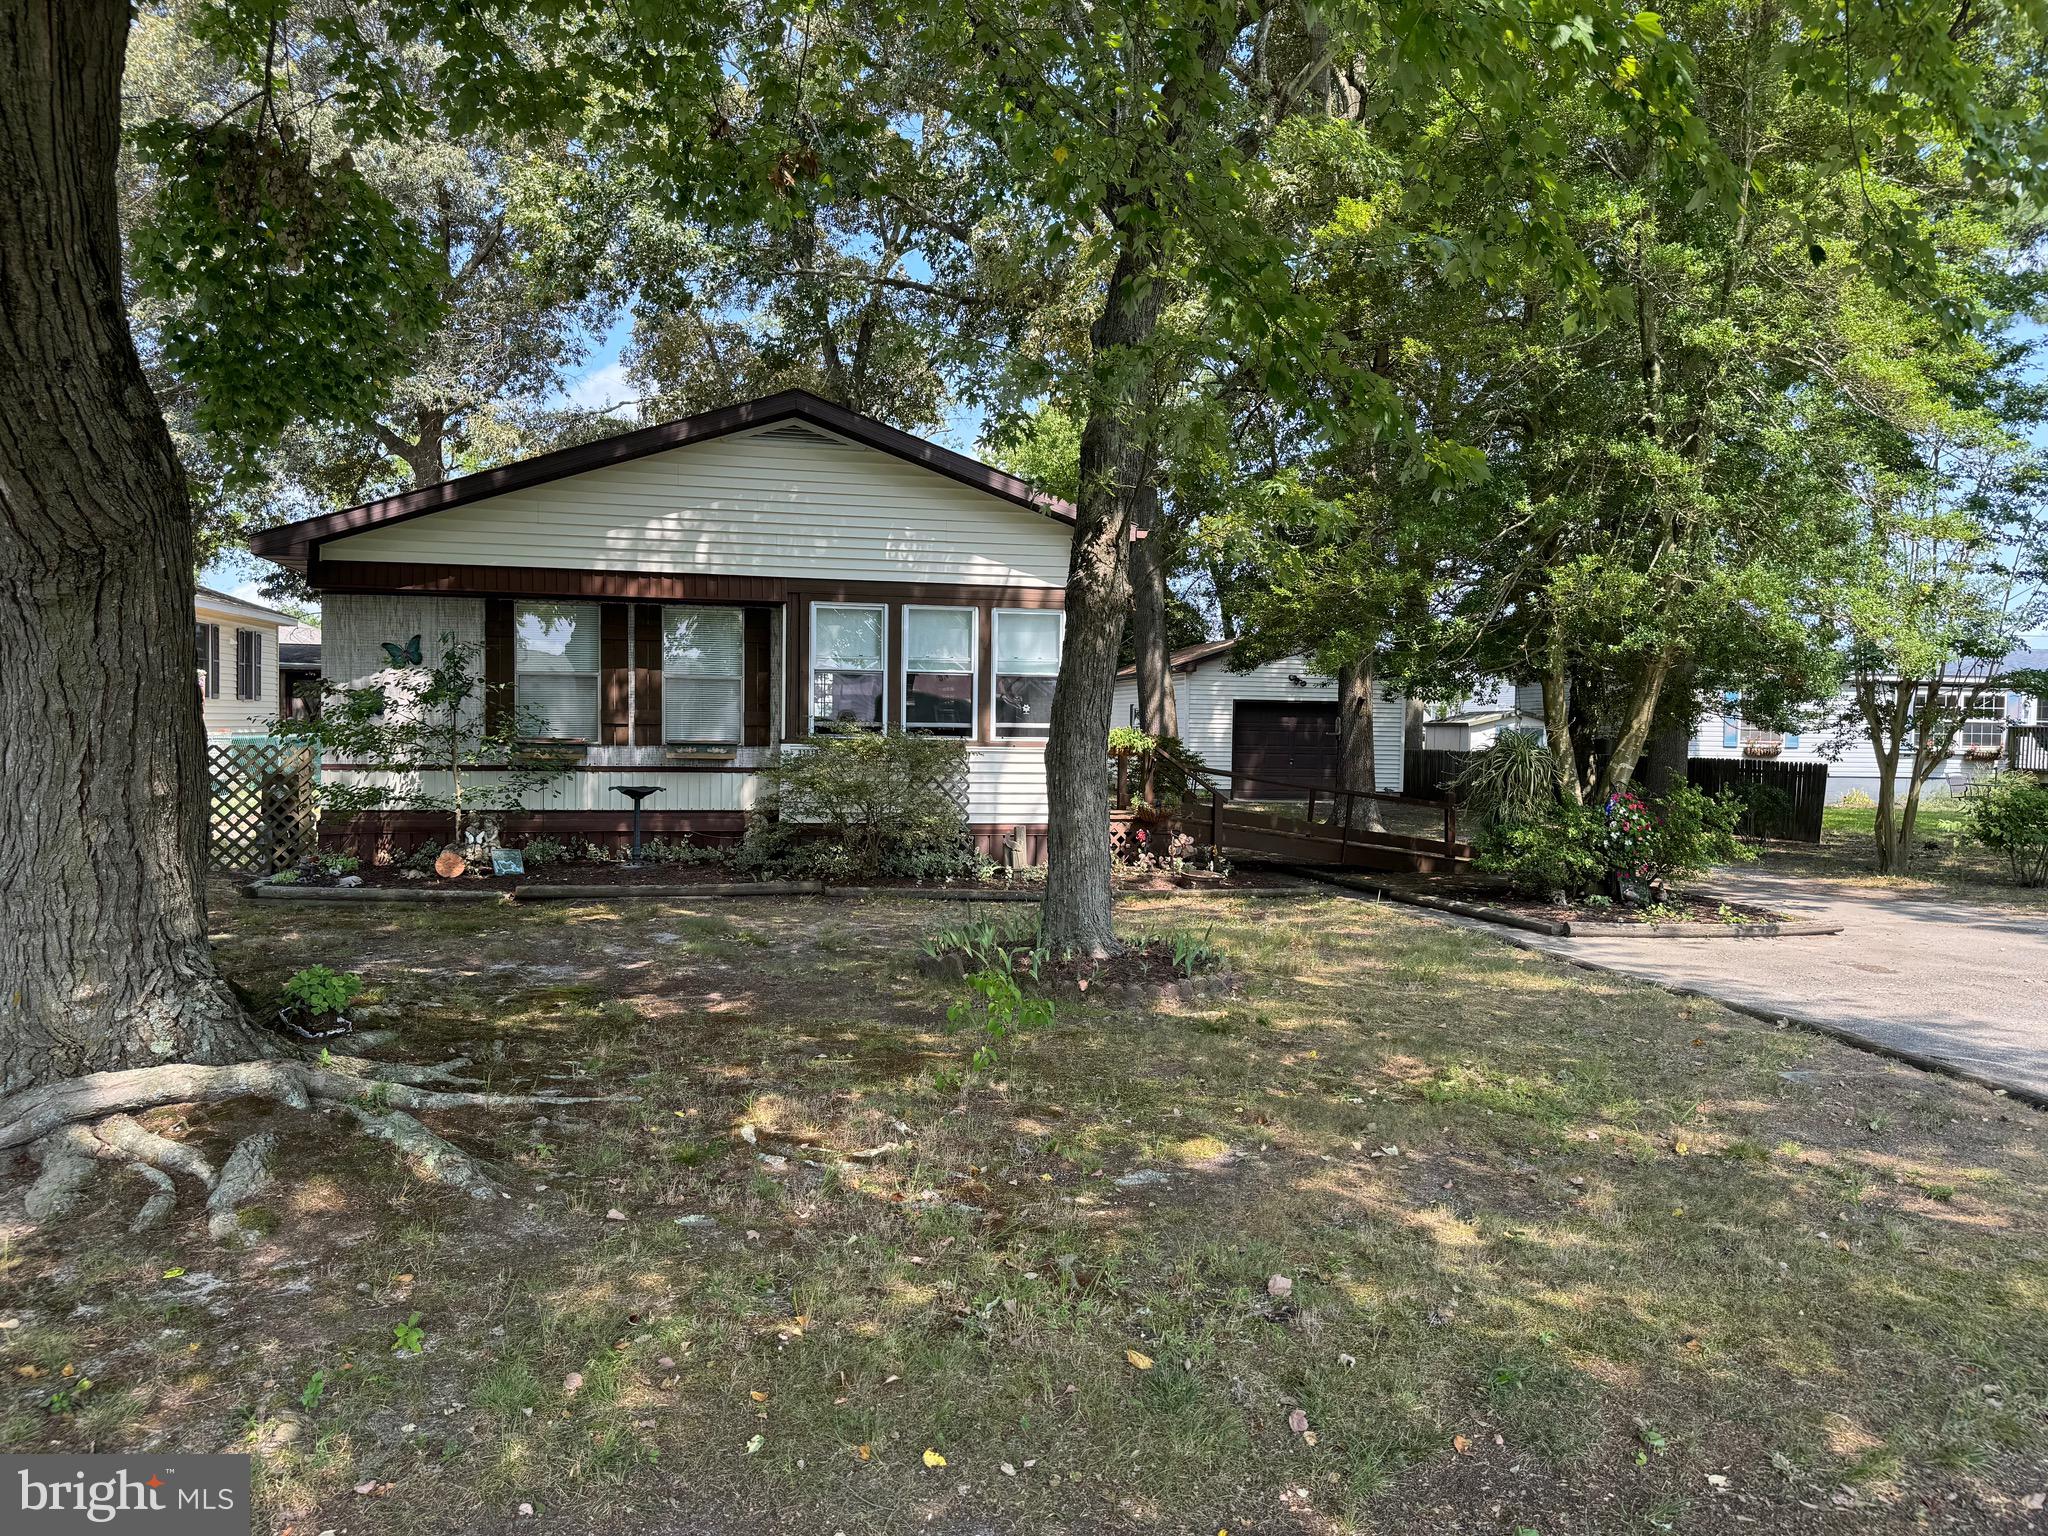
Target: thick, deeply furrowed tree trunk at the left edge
[{"x": 103, "y": 941}]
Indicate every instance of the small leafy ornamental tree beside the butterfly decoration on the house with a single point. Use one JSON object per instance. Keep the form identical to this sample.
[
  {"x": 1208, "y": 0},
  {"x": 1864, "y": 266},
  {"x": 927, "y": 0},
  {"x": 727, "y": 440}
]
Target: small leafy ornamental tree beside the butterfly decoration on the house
[{"x": 429, "y": 738}]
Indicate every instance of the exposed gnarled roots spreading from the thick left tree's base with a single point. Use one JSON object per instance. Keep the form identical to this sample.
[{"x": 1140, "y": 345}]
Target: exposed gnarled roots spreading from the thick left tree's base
[{"x": 75, "y": 1125}]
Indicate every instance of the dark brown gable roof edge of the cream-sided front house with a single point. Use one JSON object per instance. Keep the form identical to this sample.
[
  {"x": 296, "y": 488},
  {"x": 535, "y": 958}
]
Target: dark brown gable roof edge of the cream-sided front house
[{"x": 292, "y": 544}]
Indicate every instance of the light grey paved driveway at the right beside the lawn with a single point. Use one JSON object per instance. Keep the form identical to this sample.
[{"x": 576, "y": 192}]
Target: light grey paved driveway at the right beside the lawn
[{"x": 1922, "y": 974}]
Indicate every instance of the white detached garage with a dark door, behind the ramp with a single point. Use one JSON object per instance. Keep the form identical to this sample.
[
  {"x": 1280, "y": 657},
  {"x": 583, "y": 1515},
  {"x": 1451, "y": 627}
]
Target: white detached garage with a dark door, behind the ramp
[{"x": 1273, "y": 726}]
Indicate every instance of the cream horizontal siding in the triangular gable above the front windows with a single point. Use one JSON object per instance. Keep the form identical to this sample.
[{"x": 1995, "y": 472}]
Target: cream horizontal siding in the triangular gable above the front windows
[{"x": 781, "y": 503}]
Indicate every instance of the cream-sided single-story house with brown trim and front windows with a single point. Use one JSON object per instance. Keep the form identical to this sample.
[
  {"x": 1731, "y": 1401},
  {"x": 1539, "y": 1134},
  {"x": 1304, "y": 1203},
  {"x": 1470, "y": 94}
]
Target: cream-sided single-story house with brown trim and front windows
[{"x": 675, "y": 603}]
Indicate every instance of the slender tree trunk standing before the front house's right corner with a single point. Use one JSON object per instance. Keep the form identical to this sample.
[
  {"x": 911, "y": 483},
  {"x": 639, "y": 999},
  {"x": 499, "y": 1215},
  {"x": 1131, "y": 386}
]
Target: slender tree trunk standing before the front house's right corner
[{"x": 1076, "y": 912}]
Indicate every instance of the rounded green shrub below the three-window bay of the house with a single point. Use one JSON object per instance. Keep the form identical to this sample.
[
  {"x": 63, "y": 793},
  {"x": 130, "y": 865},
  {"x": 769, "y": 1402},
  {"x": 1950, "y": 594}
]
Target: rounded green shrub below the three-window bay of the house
[{"x": 865, "y": 806}]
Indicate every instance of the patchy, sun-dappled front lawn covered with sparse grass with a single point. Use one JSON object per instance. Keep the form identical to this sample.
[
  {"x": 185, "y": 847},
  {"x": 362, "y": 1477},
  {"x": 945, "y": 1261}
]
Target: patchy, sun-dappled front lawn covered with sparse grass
[{"x": 1568, "y": 1254}]
